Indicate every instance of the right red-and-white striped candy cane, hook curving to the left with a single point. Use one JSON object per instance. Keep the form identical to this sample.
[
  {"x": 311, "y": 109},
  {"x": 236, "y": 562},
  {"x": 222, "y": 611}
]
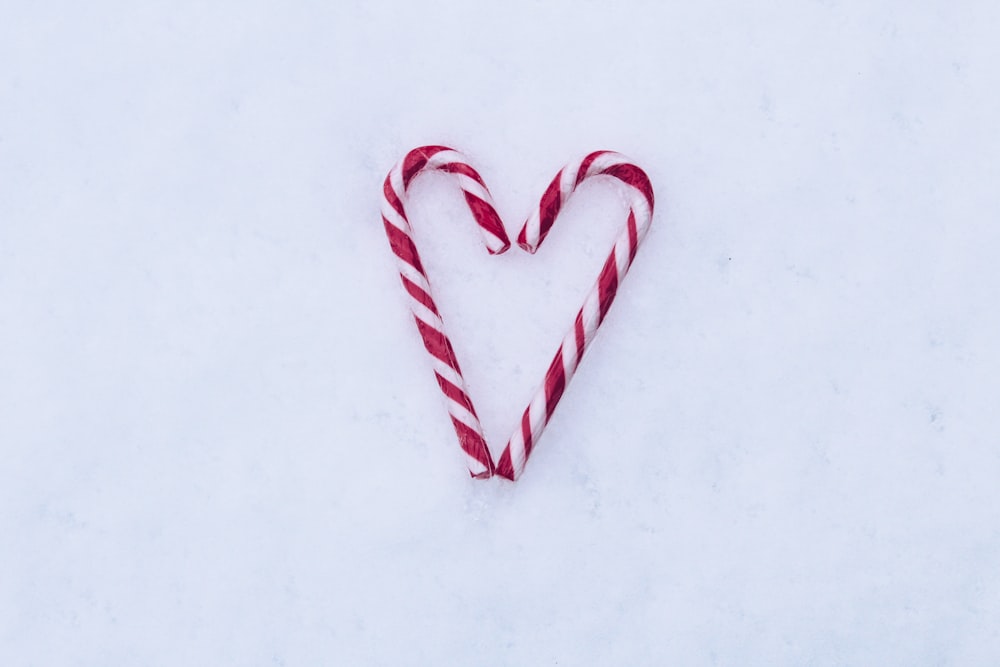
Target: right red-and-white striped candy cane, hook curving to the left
[{"x": 639, "y": 196}]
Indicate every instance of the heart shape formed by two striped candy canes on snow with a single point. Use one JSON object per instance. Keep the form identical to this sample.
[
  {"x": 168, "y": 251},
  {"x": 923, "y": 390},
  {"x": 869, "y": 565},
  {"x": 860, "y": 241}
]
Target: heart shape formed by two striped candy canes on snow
[{"x": 639, "y": 196}]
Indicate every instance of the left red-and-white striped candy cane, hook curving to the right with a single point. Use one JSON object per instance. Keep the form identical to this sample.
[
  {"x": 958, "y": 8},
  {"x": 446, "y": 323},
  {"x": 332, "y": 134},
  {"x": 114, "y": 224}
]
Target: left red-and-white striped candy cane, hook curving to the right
[{"x": 411, "y": 272}]
